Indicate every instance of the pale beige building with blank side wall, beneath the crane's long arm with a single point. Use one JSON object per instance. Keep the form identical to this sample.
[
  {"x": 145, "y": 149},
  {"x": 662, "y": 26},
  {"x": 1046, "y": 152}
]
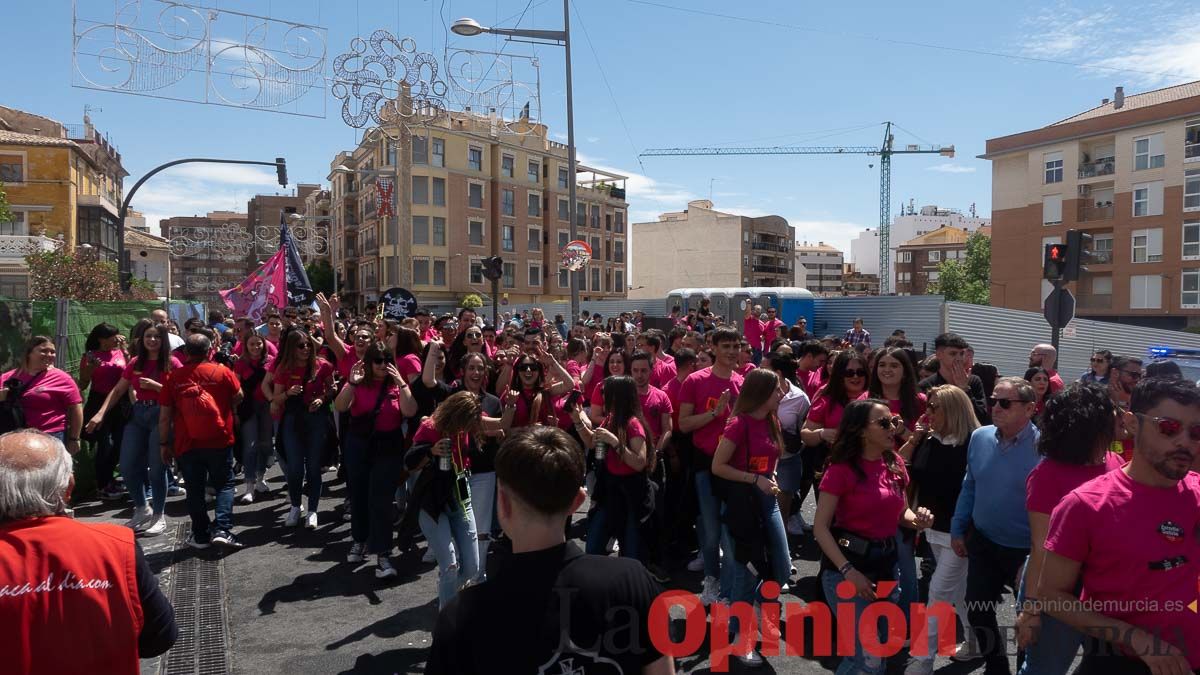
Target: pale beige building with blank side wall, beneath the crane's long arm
[{"x": 705, "y": 248}]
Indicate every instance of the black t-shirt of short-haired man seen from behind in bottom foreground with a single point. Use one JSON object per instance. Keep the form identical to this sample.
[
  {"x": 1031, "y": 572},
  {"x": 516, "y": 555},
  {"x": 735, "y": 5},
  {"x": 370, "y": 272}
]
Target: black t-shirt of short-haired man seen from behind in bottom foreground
[{"x": 512, "y": 623}]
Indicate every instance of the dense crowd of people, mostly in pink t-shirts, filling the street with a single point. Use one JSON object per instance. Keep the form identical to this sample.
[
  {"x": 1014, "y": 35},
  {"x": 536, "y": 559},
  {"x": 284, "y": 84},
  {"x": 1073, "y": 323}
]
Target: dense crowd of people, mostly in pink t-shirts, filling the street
[{"x": 695, "y": 447}]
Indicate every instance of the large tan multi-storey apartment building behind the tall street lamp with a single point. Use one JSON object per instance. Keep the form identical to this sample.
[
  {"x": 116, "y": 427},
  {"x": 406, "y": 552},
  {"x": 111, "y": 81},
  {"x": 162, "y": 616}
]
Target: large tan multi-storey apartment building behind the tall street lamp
[{"x": 469, "y": 188}]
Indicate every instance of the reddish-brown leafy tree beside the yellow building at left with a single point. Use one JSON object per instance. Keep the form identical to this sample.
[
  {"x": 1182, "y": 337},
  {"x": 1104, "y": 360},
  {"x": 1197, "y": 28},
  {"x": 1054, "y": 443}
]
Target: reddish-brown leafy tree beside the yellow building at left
[{"x": 56, "y": 276}]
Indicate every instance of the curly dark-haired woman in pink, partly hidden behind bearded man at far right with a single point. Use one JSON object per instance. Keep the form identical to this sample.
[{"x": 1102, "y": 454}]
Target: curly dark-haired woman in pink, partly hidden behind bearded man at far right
[{"x": 1077, "y": 433}]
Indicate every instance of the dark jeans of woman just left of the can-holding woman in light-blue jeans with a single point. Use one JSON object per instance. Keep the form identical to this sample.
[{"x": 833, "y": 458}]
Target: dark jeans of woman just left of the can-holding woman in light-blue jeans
[{"x": 373, "y": 483}]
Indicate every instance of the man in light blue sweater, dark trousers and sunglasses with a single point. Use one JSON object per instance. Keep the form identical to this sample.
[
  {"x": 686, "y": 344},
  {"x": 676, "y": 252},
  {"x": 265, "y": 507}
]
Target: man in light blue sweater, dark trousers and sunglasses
[{"x": 991, "y": 525}]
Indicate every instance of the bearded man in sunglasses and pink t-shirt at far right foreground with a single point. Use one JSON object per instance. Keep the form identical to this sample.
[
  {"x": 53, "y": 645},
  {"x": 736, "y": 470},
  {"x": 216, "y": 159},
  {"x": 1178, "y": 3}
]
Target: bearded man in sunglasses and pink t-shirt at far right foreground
[{"x": 1129, "y": 541}]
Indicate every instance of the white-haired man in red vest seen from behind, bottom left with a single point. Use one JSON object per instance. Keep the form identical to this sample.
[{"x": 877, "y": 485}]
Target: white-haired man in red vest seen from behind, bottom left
[{"x": 75, "y": 598}]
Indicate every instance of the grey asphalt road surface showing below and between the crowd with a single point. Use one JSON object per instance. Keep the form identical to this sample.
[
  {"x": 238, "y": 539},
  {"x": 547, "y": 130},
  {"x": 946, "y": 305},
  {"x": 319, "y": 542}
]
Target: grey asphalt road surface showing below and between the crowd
[{"x": 293, "y": 605}]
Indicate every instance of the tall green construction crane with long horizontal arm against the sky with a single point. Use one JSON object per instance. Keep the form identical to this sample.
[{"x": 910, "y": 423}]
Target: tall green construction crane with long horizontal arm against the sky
[{"x": 884, "y": 152}]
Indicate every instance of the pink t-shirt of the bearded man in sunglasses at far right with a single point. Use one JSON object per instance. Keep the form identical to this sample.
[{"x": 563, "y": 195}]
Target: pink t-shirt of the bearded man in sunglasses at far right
[{"x": 1131, "y": 542}]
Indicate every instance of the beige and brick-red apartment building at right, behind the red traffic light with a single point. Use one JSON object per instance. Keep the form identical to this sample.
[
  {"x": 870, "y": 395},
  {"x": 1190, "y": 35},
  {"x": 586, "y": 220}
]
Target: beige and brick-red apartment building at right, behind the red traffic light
[{"x": 1129, "y": 174}]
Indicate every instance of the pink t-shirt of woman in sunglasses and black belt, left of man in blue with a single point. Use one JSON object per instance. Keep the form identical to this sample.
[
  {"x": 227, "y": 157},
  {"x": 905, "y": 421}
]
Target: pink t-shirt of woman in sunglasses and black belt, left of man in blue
[{"x": 871, "y": 507}]
